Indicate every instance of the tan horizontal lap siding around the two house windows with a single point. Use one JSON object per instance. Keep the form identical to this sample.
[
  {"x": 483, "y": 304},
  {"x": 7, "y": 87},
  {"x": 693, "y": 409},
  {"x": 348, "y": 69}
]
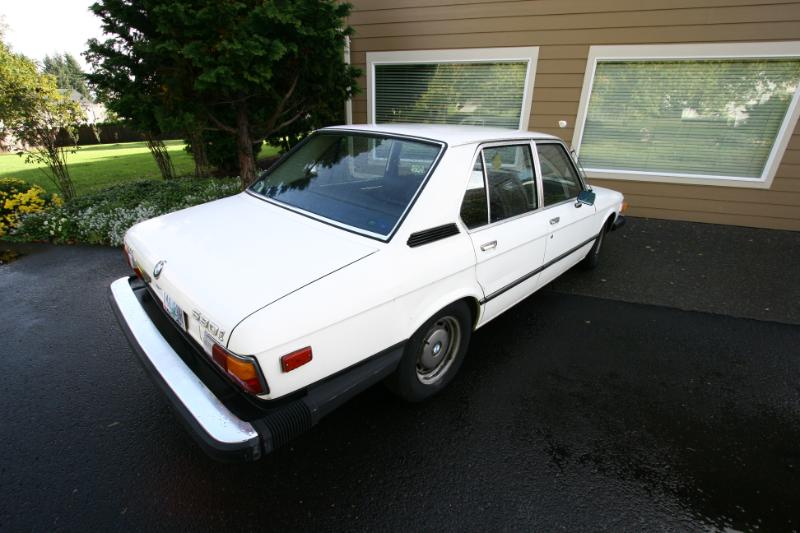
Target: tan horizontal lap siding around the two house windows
[{"x": 564, "y": 30}]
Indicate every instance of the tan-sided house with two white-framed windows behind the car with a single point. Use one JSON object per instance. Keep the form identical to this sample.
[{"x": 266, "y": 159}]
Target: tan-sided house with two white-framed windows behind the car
[{"x": 689, "y": 107}]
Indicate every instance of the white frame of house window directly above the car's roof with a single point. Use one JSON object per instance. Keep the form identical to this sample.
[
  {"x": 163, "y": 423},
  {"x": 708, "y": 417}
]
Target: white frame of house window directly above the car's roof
[{"x": 529, "y": 54}]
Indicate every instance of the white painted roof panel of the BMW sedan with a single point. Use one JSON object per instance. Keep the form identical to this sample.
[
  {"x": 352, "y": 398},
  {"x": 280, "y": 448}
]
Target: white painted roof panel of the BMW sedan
[{"x": 453, "y": 135}]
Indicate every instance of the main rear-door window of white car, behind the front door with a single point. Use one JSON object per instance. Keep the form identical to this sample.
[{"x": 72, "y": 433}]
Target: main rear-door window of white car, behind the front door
[{"x": 510, "y": 179}]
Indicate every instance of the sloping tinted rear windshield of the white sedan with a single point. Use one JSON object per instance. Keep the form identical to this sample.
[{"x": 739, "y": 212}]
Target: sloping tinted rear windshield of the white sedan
[{"x": 363, "y": 181}]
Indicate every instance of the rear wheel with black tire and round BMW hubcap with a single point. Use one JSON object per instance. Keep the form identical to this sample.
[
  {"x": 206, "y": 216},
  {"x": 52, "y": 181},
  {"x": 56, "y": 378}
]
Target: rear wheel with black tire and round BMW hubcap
[{"x": 425, "y": 369}]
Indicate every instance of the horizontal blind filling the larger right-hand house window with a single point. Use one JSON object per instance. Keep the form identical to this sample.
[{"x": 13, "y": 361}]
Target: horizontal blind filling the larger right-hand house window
[{"x": 695, "y": 117}]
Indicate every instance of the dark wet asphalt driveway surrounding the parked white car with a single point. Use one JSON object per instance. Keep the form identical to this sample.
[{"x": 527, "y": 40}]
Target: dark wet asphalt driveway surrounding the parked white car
[{"x": 571, "y": 412}]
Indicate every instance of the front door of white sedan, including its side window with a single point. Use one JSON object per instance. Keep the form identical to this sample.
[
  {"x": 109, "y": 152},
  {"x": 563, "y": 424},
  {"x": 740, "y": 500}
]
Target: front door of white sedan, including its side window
[{"x": 571, "y": 226}]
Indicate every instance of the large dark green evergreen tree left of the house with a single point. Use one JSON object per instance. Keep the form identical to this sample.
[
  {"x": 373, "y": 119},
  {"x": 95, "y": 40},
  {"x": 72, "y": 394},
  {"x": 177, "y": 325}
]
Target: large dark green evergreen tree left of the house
[{"x": 254, "y": 69}]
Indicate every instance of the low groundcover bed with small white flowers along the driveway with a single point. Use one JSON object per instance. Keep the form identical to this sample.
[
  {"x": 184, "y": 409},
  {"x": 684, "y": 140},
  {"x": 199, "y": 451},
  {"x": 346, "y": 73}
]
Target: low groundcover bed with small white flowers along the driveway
[{"x": 104, "y": 217}]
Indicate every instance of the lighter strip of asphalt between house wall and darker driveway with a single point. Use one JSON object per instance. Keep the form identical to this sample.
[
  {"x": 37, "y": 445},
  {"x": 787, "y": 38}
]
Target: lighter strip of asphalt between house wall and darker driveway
[{"x": 729, "y": 270}]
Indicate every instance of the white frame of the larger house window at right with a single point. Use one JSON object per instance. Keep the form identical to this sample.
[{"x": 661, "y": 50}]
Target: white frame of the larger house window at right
[{"x": 772, "y": 50}]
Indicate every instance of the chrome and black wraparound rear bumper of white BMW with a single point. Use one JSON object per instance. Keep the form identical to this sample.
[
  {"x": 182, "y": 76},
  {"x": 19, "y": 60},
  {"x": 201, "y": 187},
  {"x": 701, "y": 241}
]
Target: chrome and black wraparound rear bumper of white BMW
[{"x": 211, "y": 420}]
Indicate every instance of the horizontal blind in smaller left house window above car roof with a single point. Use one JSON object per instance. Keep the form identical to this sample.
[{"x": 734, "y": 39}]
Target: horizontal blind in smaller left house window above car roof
[{"x": 483, "y": 94}]
